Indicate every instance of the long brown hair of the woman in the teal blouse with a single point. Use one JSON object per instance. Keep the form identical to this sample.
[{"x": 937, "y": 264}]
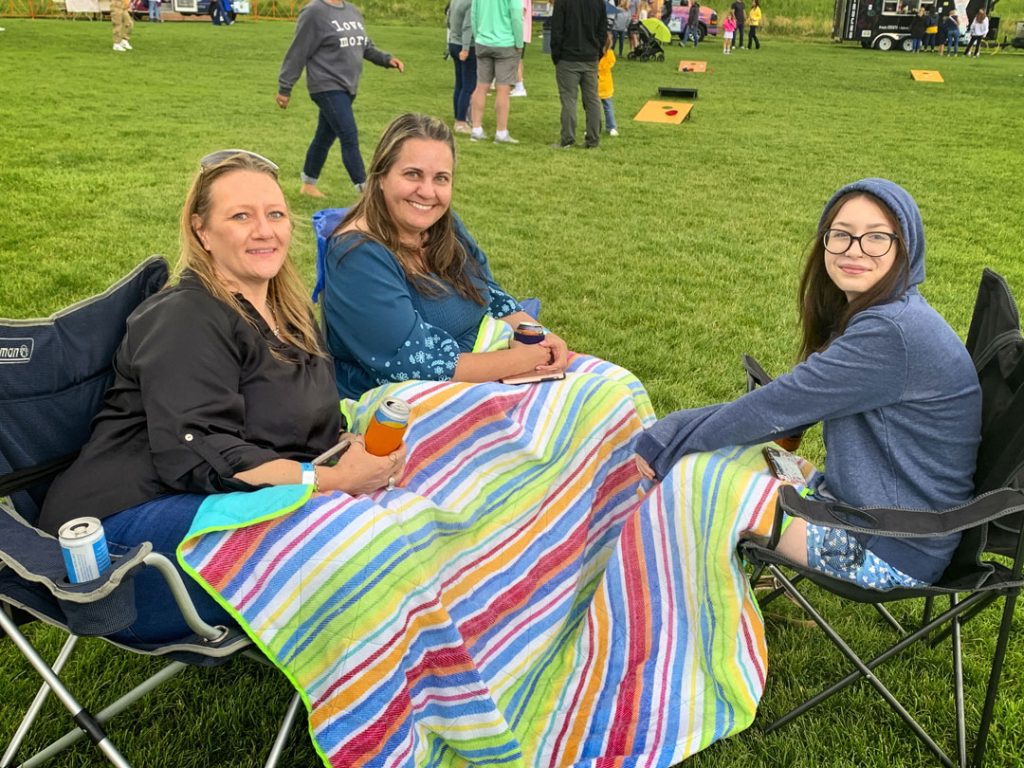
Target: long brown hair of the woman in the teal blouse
[{"x": 445, "y": 260}]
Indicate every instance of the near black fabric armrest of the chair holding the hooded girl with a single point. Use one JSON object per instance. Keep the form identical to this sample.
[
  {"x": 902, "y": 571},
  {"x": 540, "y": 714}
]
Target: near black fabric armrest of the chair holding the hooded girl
[{"x": 908, "y": 524}]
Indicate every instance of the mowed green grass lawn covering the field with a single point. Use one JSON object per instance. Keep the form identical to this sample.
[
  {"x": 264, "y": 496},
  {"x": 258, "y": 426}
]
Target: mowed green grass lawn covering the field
[{"x": 671, "y": 250}]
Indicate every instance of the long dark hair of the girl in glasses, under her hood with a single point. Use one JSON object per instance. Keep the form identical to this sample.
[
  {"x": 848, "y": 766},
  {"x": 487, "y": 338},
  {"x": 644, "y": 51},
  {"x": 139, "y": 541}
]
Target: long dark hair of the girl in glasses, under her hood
[{"x": 825, "y": 311}]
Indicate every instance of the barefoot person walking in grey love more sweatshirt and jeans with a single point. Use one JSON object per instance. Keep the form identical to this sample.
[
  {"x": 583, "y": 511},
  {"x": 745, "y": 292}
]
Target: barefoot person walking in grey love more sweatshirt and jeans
[{"x": 331, "y": 44}]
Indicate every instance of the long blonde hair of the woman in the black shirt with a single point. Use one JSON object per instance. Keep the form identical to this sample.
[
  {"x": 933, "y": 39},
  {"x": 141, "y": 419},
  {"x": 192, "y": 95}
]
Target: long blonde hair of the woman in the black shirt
[{"x": 287, "y": 296}]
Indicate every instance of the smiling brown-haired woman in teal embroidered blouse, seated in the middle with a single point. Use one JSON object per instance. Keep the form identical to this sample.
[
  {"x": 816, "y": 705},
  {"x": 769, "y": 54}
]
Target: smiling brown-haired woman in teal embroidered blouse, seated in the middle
[{"x": 406, "y": 285}]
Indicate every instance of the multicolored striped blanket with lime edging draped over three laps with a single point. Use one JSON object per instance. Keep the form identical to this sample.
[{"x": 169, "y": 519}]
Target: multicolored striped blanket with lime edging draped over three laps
[{"x": 518, "y": 602}]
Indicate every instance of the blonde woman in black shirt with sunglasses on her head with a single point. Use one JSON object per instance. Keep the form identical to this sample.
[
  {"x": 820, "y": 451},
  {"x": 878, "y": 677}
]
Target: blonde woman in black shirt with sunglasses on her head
[{"x": 222, "y": 383}]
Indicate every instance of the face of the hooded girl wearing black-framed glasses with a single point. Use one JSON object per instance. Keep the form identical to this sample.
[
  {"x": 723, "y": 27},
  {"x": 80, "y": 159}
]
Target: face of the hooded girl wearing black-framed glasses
[{"x": 854, "y": 272}]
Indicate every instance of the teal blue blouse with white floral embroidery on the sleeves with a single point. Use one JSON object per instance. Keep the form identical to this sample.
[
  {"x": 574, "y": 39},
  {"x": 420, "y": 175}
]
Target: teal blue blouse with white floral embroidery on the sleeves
[{"x": 381, "y": 328}]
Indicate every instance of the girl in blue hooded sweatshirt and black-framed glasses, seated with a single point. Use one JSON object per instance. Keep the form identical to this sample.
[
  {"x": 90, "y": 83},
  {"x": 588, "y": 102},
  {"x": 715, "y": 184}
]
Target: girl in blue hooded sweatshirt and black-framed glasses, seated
[{"x": 889, "y": 378}]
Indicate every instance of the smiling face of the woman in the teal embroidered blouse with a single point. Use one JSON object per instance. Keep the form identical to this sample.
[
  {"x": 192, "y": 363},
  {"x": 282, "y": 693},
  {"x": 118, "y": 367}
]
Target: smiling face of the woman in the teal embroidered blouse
[{"x": 417, "y": 189}]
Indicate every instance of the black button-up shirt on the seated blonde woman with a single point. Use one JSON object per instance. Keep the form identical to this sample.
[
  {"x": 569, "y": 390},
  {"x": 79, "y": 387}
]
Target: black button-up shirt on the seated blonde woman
[{"x": 197, "y": 398}]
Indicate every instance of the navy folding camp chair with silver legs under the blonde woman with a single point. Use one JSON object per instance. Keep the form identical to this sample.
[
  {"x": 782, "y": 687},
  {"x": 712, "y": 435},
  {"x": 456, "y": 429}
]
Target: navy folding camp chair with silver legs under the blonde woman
[{"x": 55, "y": 373}]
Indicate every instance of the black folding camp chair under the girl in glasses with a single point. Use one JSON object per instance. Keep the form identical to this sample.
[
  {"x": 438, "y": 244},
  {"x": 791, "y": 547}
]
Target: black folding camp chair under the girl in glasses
[{"x": 991, "y": 526}]
